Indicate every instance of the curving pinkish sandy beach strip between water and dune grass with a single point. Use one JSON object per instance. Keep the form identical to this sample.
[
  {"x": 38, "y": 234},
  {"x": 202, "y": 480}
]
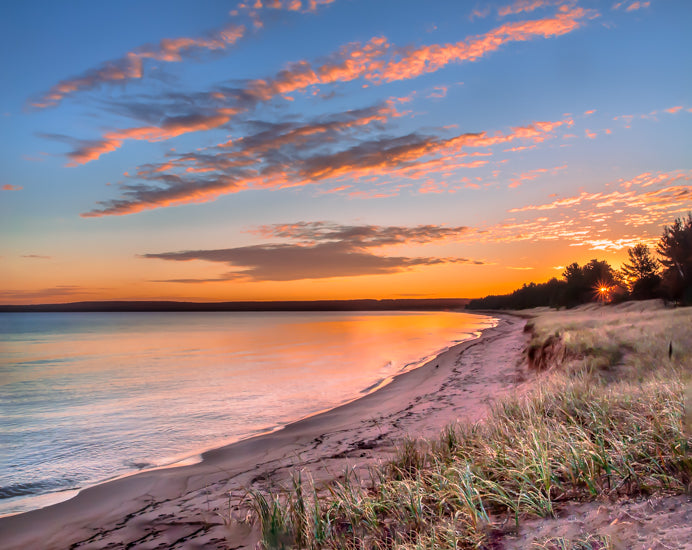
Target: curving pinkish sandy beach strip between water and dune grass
[{"x": 199, "y": 506}]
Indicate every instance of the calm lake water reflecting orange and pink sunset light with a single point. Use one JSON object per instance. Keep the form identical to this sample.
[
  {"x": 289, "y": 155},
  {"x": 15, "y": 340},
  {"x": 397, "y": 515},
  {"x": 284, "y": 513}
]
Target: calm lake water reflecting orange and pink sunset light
[{"x": 85, "y": 397}]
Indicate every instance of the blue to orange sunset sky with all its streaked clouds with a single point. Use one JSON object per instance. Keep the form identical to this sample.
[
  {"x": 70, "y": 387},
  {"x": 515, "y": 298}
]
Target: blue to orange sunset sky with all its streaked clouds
[{"x": 334, "y": 149}]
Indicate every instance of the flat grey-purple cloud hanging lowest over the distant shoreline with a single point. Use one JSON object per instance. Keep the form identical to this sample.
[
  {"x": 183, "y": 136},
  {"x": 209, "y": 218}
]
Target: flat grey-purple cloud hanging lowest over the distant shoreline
[{"x": 320, "y": 250}]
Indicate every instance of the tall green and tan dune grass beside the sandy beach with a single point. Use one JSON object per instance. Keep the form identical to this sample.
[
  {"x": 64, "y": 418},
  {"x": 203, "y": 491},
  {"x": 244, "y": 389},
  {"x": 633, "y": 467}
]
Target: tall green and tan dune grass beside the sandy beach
[{"x": 606, "y": 421}]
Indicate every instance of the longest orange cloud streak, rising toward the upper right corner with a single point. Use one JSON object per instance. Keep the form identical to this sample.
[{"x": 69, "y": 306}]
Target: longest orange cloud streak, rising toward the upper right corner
[{"x": 376, "y": 61}]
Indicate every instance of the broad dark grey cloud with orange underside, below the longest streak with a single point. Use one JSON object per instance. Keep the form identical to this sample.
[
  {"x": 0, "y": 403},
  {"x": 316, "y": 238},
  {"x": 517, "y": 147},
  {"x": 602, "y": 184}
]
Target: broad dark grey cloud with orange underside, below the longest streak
[{"x": 283, "y": 155}]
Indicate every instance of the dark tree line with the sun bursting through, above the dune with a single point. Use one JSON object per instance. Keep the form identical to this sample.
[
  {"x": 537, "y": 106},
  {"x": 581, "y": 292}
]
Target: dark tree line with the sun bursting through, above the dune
[{"x": 665, "y": 273}]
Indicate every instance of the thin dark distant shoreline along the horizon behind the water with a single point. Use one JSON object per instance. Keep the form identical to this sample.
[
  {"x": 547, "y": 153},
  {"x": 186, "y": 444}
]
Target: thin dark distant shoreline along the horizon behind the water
[{"x": 286, "y": 305}]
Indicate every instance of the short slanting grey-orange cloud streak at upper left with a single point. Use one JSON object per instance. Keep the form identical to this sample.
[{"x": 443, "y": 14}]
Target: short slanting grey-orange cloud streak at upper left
[{"x": 131, "y": 67}]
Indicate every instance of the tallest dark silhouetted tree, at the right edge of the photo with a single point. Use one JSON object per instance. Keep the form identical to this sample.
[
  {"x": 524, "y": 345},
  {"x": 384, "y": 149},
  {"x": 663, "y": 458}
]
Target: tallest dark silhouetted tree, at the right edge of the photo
[{"x": 675, "y": 249}]
